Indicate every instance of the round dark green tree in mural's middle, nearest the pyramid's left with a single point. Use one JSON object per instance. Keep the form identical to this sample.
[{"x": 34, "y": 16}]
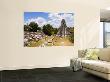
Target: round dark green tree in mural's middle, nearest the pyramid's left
[{"x": 48, "y": 29}]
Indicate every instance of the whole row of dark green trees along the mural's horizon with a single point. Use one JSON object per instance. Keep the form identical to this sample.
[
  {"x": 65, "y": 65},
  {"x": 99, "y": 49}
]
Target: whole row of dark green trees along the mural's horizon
[{"x": 47, "y": 29}]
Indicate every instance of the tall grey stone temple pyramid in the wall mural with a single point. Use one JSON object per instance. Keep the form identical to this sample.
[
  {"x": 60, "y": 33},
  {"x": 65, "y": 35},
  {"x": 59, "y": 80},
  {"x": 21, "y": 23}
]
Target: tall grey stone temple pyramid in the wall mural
[{"x": 62, "y": 31}]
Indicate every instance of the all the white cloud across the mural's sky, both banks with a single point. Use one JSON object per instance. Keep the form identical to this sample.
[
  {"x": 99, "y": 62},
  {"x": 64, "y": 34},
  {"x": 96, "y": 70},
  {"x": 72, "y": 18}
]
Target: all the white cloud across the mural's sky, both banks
[{"x": 54, "y": 20}]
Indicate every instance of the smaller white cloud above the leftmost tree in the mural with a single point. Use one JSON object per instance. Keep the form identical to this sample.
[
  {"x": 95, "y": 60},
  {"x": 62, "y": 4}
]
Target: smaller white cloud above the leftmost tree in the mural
[{"x": 39, "y": 20}]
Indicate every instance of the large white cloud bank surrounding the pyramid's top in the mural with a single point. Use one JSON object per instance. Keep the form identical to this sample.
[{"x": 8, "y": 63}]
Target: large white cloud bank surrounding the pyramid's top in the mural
[{"x": 55, "y": 19}]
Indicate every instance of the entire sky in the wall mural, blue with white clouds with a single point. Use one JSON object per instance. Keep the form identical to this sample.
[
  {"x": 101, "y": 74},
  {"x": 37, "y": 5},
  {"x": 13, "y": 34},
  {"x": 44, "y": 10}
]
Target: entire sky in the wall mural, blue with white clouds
[{"x": 42, "y": 18}]
